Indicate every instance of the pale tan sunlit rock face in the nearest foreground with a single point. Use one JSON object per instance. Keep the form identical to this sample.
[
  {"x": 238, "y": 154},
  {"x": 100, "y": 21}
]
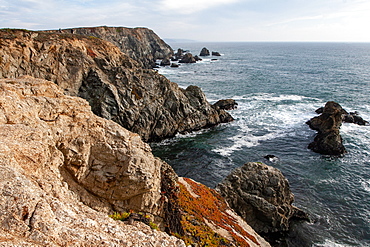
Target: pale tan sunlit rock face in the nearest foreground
[{"x": 63, "y": 169}]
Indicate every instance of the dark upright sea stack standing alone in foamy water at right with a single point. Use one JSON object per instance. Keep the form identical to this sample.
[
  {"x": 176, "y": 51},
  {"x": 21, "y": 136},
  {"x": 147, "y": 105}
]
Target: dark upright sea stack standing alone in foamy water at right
[{"x": 328, "y": 140}]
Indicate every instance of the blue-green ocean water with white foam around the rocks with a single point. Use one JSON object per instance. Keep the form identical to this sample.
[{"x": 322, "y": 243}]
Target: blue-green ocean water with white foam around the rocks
[{"x": 278, "y": 86}]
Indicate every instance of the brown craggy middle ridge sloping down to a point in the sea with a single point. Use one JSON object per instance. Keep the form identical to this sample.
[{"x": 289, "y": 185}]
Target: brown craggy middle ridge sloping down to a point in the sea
[{"x": 115, "y": 86}]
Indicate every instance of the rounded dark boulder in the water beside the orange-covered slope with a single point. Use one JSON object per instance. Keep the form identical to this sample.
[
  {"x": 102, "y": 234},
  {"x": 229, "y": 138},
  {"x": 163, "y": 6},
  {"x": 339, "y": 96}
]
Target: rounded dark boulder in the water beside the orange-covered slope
[{"x": 261, "y": 195}]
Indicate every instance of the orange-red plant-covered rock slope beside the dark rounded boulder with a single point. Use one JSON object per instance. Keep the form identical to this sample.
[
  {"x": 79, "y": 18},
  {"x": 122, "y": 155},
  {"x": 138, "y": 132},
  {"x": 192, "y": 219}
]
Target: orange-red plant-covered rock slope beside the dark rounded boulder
[{"x": 206, "y": 219}]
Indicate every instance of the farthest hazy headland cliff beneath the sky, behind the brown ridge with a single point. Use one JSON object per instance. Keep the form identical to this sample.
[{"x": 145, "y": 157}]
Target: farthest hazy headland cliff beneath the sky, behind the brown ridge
[{"x": 140, "y": 44}]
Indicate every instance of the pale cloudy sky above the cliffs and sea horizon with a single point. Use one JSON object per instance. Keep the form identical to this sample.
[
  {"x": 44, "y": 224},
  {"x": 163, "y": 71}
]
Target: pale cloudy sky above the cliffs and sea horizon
[{"x": 202, "y": 20}]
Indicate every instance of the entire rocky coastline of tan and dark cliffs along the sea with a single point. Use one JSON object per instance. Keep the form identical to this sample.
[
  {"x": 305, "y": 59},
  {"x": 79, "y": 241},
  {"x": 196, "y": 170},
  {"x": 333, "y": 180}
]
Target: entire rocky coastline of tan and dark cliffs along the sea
[{"x": 76, "y": 108}]
